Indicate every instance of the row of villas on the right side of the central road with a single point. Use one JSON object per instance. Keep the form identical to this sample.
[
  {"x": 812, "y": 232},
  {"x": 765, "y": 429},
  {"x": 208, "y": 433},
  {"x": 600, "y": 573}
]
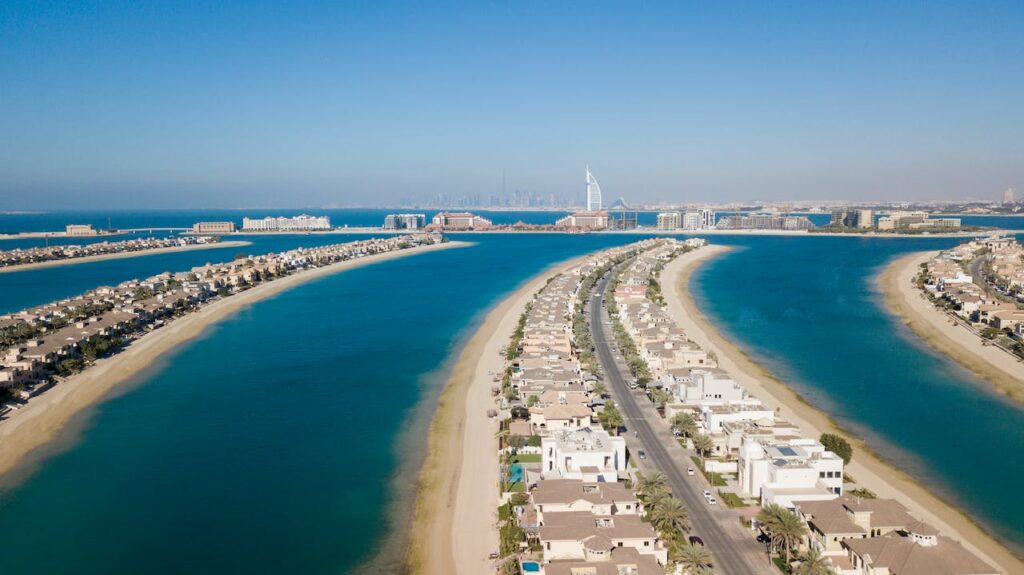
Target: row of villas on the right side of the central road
[{"x": 770, "y": 456}]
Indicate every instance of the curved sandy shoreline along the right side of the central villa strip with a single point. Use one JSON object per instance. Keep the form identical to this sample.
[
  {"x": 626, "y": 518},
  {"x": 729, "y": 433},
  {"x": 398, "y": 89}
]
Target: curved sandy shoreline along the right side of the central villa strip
[{"x": 869, "y": 470}]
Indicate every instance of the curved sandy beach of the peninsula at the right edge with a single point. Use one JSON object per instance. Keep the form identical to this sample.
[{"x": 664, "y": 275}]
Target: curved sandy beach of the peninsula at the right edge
[{"x": 903, "y": 298}]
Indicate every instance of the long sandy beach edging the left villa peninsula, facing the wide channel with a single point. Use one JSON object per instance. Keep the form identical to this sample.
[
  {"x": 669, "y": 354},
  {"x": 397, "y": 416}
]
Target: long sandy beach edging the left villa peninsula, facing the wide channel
[{"x": 42, "y": 420}]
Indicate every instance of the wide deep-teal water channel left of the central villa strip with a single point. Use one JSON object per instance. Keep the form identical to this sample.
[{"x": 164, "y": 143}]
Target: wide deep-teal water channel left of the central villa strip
[{"x": 271, "y": 446}]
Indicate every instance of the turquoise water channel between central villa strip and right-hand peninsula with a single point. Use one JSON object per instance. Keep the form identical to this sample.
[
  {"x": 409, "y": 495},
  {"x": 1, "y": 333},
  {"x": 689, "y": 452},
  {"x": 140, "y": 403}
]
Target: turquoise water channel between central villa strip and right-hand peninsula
[{"x": 808, "y": 309}]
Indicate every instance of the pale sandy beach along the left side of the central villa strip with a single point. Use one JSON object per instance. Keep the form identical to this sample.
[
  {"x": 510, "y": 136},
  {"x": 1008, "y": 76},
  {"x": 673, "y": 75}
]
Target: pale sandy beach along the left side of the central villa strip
[{"x": 456, "y": 513}]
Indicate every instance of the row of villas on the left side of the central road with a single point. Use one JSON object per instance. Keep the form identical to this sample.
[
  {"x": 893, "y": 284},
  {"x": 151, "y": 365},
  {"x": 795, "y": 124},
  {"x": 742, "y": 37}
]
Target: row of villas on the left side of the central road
[{"x": 576, "y": 510}]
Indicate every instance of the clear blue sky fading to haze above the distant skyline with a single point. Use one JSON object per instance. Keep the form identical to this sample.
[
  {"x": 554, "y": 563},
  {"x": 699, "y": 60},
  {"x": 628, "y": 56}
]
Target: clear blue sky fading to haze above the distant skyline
[{"x": 330, "y": 104}]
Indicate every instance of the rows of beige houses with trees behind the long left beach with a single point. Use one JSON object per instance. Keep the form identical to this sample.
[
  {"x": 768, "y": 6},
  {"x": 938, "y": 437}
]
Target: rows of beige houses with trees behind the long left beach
[{"x": 62, "y": 337}]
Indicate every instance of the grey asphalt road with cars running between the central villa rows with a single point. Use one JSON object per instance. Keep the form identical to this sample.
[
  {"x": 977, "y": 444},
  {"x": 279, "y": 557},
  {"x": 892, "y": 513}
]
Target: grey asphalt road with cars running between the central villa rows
[{"x": 736, "y": 551}]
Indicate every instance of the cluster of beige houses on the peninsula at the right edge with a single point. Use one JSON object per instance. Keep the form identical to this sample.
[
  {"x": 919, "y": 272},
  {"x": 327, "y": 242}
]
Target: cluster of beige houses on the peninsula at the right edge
[{"x": 946, "y": 278}]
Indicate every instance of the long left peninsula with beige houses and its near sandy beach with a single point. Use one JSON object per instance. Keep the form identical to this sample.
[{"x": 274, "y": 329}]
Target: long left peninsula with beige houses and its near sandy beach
[{"x": 67, "y": 357}]
